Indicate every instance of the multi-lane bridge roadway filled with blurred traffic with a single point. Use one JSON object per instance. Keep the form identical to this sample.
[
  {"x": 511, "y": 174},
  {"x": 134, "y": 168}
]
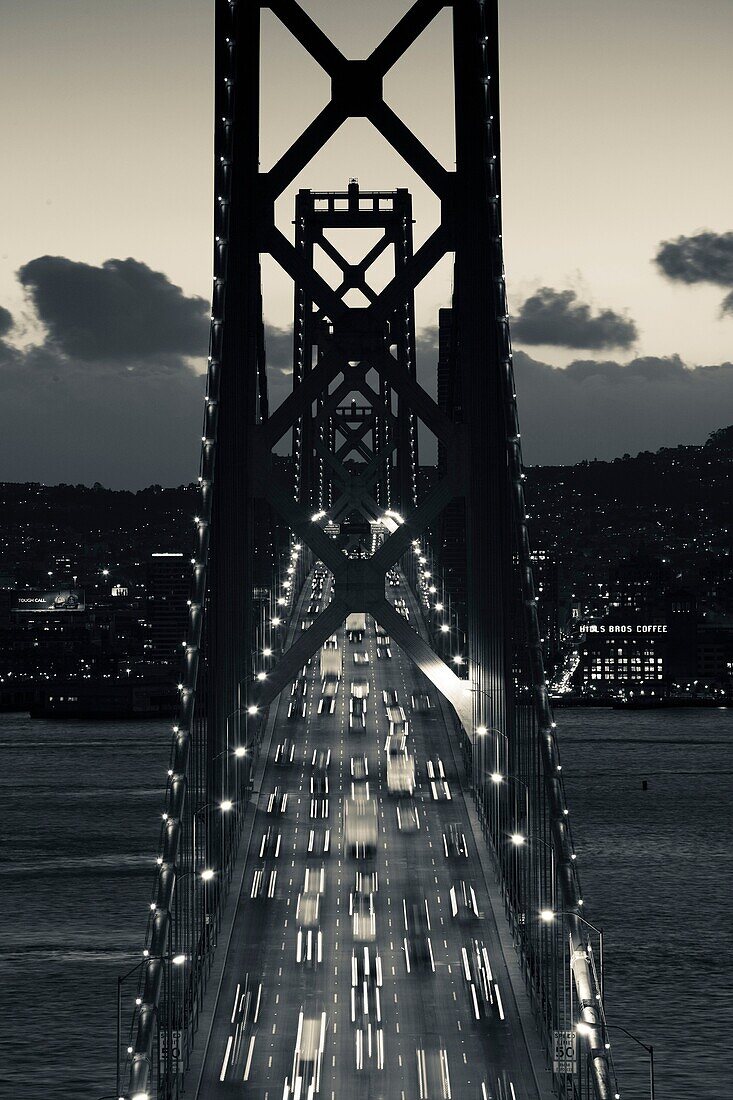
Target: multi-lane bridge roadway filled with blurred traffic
[{"x": 428, "y": 1042}]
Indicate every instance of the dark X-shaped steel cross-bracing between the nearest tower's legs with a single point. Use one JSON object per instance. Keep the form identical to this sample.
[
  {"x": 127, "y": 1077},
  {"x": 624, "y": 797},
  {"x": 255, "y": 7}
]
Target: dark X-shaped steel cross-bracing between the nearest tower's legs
[{"x": 360, "y": 340}]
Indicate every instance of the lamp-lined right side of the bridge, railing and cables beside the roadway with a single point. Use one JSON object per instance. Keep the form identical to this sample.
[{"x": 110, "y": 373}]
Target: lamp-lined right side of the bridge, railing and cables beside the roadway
[{"x": 507, "y": 777}]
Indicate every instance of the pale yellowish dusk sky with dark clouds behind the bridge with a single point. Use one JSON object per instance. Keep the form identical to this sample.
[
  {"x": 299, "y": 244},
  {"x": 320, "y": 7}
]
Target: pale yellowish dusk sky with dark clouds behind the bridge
[{"x": 618, "y": 219}]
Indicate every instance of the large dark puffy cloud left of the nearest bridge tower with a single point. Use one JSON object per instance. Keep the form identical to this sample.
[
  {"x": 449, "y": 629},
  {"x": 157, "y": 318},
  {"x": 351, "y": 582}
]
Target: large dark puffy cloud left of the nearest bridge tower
[{"x": 121, "y": 311}]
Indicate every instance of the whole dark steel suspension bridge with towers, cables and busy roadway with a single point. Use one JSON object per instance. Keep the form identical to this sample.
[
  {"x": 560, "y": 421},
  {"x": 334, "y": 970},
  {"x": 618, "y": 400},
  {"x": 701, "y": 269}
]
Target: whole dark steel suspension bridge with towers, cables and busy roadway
[{"x": 366, "y": 883}]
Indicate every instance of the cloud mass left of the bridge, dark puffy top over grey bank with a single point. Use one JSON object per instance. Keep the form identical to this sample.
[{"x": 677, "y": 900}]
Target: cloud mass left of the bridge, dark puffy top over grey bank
[{"x": 111, "y": 394}]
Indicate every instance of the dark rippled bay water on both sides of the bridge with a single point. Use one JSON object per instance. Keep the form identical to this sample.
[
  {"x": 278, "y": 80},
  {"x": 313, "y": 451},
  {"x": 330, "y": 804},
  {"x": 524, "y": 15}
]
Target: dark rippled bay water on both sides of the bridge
[{"x": 81, "y": 819}]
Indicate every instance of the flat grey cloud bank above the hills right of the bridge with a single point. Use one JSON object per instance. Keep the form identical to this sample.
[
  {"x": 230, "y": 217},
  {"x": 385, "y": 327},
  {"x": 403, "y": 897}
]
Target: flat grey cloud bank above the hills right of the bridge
[{"x": 605, "y": 410}]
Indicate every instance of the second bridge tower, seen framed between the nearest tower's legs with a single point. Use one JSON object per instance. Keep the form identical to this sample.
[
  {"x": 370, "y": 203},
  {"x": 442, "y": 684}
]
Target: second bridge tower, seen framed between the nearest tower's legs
[{"x": 371, "y": 430}]
